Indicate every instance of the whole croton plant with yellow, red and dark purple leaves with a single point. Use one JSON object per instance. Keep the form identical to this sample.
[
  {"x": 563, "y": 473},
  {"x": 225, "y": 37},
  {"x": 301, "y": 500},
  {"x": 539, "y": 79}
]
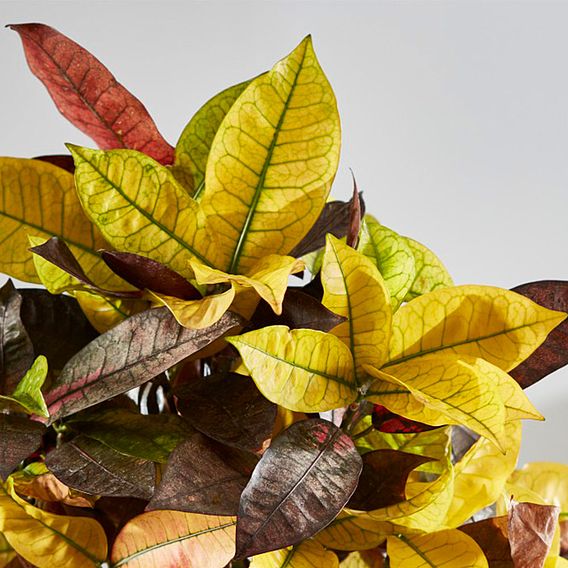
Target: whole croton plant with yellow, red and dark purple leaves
[{"x": 226, "y": 368}]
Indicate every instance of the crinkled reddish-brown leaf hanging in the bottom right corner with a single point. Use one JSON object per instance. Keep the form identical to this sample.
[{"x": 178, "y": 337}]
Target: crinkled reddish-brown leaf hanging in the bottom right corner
[{"x": 531, "y": 529}]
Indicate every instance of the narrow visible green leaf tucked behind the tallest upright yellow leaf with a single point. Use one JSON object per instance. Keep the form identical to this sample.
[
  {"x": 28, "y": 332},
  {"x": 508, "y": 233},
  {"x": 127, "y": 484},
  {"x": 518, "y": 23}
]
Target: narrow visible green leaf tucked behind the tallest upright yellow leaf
[{"x": 192, "y": 148}]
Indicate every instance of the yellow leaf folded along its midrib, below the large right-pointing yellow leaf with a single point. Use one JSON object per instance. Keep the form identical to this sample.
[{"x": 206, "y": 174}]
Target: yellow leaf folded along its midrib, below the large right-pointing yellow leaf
[{"x": 442, "y": 389}]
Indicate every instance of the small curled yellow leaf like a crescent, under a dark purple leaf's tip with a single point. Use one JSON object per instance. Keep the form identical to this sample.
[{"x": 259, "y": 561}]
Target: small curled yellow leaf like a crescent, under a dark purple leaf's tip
[{"x": 197, "y": 314}]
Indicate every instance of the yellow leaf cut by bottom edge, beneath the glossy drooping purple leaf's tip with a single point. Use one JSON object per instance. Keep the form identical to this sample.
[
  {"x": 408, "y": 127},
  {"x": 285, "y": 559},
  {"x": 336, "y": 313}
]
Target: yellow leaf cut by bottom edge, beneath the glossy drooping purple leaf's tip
[{"x": 308, "y": 554}]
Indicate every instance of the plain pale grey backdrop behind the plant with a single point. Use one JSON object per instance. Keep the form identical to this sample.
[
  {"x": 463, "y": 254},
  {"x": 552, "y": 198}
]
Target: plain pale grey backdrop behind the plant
[{"x": 454, "y": 116}]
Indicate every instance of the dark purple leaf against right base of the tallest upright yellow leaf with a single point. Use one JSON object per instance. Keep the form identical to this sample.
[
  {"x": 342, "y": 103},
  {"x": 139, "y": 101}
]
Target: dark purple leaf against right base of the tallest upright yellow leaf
[{"x": 334, "y": 219}]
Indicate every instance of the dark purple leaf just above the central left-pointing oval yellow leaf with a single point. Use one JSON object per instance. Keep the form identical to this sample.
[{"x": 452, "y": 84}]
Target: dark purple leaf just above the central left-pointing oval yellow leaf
[{"x": 299, "y": 311}]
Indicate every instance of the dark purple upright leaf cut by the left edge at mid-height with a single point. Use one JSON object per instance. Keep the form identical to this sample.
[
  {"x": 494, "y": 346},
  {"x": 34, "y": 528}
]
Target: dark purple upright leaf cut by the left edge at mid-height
[{"x": 16, "y": 349}]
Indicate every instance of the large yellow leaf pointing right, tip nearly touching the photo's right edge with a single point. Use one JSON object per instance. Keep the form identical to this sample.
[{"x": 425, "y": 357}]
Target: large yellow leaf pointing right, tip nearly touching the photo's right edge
[{"x": 497, "y": 325}]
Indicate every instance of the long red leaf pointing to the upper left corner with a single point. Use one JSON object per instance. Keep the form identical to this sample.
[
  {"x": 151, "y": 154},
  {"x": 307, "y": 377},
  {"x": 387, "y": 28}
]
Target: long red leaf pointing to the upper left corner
[{"x": 88, "y": 95}]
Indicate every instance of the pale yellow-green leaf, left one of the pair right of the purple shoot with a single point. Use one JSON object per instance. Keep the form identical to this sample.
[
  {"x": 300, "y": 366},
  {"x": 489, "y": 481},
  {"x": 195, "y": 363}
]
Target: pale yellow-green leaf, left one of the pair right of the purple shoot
[{"x": 391, "y": 254}]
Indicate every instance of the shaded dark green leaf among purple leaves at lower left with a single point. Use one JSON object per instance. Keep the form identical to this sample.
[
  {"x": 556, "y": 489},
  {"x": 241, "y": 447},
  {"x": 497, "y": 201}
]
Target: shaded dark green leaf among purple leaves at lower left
[{"x": 149, "y": 437}]
